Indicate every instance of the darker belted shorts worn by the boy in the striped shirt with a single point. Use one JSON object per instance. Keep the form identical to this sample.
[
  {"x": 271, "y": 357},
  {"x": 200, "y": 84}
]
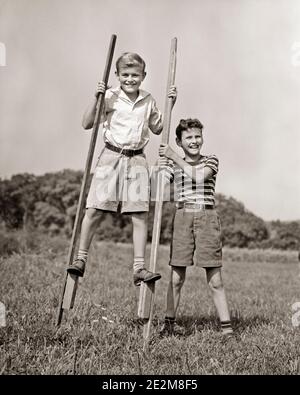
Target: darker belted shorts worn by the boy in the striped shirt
[{"x": 196, "y": 238}]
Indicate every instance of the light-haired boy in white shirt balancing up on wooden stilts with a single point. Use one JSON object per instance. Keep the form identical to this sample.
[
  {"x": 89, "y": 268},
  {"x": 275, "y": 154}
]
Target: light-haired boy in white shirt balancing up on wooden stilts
[{"x": 121, "y": 178}]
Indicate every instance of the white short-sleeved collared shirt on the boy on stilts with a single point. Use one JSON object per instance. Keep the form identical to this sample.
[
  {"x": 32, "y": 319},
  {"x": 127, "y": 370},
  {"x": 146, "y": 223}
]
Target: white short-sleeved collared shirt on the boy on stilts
[{"x": 126, "y": 123}]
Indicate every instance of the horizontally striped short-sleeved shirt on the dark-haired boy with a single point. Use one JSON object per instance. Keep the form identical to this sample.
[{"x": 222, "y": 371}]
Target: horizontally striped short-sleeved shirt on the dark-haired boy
[{"x": 195, "y": 191}]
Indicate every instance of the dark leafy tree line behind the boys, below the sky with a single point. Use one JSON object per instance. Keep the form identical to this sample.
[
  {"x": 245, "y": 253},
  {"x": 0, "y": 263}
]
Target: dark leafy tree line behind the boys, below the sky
[{"x": 48, "y": 203}]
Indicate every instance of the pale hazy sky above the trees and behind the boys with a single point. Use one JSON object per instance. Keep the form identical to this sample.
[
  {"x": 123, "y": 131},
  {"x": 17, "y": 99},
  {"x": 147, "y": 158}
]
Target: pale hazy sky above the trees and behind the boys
[{"x": 238, "y": 71}]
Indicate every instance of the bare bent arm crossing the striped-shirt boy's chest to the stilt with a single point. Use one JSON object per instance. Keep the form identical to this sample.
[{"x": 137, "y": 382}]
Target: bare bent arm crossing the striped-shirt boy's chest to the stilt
[{"x": 198, "y": 175}]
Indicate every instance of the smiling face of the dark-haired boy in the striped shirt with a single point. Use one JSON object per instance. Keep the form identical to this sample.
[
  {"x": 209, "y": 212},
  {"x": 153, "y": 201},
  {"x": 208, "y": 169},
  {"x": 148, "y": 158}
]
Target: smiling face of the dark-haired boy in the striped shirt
[{"x": 191, "y": 142}]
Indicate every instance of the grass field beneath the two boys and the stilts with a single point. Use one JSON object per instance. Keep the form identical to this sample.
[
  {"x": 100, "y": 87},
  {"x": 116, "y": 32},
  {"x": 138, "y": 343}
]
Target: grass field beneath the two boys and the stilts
[{"x": 261, "y": 289}]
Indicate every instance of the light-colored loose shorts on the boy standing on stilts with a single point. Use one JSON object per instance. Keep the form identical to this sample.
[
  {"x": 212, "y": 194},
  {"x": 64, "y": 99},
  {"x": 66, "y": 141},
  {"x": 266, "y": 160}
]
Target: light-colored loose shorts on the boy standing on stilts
[{"x": 120, "y": 183}]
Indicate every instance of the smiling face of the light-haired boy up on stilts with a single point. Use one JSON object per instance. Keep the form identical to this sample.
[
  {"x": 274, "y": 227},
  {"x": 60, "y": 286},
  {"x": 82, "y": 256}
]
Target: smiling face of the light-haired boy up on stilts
[{"x": 130, "y": 79}]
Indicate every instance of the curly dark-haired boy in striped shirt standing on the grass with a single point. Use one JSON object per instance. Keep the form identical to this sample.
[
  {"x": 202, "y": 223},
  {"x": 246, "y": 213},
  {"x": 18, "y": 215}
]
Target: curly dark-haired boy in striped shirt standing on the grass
[{"x": 196, "y": 234}]
